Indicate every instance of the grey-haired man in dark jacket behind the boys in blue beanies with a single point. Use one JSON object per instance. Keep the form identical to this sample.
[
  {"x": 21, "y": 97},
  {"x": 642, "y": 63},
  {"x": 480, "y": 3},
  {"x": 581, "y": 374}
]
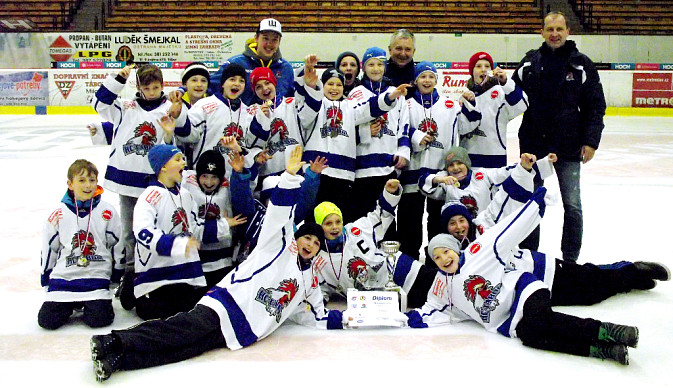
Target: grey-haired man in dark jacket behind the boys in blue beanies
[{"x": 400, "y": 68}]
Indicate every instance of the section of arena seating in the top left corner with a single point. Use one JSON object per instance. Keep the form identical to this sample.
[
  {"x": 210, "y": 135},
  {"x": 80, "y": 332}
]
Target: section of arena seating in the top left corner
[{"x": 45, "y": 15}]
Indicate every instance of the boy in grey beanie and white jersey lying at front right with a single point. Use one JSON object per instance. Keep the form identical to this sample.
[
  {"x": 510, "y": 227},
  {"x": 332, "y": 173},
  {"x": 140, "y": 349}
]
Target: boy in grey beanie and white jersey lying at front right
[{"x": 490, "y": 284}]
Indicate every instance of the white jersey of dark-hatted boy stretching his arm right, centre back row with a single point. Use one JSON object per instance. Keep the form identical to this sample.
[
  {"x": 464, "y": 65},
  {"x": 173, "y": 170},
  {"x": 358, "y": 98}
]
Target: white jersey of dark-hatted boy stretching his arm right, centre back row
[{"x": 329, "y": 128}]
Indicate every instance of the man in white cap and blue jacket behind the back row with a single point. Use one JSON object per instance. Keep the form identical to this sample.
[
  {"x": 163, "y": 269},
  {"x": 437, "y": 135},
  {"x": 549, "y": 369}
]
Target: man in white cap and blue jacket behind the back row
[{"x": 261, "y": 51}]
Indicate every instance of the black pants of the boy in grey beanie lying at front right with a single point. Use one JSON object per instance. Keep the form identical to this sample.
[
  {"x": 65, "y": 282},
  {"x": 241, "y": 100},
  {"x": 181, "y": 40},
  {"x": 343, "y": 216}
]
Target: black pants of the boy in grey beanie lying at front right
[{"x": 543, "y": 328}]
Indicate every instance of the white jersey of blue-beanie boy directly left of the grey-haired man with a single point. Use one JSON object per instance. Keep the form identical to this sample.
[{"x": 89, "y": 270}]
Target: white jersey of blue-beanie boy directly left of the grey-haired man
[{"x": 375, "y": 154}]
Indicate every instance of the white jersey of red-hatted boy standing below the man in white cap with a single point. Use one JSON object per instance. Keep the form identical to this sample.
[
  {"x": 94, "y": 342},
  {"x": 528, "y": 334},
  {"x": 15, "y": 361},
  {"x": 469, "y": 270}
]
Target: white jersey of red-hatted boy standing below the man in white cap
[{"x": 278, "y": 135}]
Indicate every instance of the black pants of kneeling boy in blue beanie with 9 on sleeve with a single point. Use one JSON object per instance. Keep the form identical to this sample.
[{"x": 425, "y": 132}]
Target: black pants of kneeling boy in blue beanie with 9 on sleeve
[{"x": 168, "y": 300}]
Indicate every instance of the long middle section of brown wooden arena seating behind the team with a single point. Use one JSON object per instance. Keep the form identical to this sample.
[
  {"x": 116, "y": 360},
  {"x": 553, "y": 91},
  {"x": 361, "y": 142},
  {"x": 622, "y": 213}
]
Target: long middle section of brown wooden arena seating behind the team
[{"x": 437, "y": 16}]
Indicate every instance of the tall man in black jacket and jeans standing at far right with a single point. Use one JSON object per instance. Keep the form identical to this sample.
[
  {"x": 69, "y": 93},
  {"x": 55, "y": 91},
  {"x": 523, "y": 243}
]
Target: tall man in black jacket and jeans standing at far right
[{"x": 565, "y": 117}]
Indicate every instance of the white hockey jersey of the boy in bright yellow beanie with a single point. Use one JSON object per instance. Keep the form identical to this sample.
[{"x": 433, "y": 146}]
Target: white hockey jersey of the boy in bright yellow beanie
[{"x": 359, "y": 261}]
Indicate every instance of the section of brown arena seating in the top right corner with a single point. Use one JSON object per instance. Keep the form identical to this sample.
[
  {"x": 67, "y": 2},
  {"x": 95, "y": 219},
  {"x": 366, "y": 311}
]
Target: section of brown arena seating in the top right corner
[{"x": 643, "y": 17}]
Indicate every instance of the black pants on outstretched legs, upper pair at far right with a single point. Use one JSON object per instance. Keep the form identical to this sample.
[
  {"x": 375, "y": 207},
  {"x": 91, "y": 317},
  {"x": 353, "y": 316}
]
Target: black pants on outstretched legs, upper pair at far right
[{"x": 584, "y": 285}]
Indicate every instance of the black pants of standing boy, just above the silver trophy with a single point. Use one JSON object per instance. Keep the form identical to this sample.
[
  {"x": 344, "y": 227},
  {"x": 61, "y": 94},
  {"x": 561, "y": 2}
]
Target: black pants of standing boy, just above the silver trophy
[{"x": 410, "y": 221}]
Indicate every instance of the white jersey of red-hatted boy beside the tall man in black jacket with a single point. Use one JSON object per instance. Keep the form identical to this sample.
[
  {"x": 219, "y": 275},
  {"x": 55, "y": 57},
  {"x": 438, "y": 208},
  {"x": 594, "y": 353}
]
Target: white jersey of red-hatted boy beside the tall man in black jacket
[{"x": 486, "y": 138}]
